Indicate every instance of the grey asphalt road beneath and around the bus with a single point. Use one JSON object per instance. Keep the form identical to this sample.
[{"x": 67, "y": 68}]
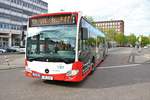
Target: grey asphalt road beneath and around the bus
[{"x": 114, "y": 79}]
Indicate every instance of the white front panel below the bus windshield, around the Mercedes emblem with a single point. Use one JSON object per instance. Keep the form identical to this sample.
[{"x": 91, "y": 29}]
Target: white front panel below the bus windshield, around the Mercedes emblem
[{"x": 54, "y": 68}]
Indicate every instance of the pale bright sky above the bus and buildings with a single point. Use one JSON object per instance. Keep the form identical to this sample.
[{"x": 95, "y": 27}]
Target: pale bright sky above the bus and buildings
[{"x": 135, "y": 13}]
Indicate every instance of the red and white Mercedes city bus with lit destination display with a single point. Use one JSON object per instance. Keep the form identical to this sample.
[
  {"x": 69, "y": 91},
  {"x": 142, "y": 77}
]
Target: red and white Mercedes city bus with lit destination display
[{"x": 63, "y": 46}]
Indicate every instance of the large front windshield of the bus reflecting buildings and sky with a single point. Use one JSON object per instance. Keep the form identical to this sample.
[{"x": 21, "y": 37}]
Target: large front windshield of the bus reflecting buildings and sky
[{"x": 51, "y": 43}]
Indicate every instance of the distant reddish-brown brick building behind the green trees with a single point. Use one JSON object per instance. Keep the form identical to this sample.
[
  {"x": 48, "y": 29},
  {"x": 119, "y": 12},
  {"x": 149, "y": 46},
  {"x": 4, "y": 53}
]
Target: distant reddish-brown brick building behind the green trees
[{"x": 117, "y": 25}]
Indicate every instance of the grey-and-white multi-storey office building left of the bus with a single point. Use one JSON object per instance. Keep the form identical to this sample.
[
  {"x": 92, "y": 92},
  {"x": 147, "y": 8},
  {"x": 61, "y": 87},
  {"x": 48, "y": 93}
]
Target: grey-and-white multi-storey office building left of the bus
[{"x": 13, "y": 18}]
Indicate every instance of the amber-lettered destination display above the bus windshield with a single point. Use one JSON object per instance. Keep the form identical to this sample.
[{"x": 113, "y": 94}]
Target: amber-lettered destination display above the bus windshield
[{"x": 52, "y": 20}]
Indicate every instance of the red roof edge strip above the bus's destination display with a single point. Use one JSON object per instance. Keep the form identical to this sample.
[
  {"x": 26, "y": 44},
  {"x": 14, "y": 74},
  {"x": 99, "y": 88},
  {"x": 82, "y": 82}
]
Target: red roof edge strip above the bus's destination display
[{"x": 51, "y": 14}]
